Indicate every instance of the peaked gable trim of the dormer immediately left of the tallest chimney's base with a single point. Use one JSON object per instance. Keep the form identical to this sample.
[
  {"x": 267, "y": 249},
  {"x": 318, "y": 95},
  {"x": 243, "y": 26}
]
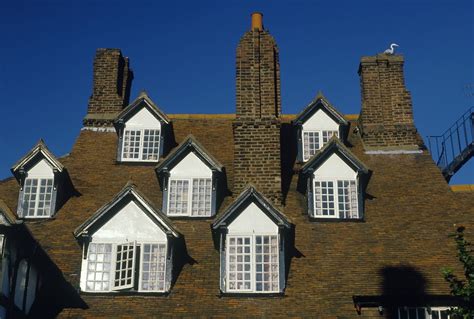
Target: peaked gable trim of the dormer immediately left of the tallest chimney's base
[{"x": 190, "y": 144}]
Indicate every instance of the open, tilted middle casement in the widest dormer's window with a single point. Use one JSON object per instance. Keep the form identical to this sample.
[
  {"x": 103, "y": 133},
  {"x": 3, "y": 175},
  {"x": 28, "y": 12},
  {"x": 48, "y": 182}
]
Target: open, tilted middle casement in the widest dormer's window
[{"x": 124, "y": 264}]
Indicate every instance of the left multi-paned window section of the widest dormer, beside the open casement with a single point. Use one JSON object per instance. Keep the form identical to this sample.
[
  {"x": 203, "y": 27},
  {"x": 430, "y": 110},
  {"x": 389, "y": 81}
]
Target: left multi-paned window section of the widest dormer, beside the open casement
[{"x": 98, "y": 267}]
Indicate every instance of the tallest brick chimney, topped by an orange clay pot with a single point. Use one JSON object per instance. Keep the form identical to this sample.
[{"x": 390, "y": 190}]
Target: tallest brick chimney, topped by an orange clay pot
[{"x": 257, "y": 124}]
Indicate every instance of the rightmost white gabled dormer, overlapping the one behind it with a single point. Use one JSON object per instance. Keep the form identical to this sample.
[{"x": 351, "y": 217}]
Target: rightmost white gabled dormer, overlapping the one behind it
[{"x": 334, "y": 181}]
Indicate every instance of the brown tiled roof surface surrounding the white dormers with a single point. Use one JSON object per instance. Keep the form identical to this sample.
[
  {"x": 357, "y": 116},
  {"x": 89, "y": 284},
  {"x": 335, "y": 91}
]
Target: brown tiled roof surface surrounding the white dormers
[{"x": 409, "y": 213}]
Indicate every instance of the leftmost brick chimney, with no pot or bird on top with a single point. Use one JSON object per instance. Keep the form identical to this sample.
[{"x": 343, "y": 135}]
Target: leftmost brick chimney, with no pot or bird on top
[{"x": 111, "y": 90}]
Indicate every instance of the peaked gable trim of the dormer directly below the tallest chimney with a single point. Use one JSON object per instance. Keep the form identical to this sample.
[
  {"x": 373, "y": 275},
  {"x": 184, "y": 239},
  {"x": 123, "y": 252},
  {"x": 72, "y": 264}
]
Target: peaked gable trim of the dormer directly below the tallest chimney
[{"x": 248, "y": 196}]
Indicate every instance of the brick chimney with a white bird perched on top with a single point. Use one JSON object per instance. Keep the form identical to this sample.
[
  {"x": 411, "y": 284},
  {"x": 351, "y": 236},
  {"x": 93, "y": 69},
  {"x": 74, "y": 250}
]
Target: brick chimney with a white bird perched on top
[{"x": 386, "y": 118}]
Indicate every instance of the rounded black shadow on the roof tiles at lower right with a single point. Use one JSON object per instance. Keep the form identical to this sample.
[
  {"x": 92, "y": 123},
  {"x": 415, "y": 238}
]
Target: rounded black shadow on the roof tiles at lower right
[{"x": 402, "y": 286}]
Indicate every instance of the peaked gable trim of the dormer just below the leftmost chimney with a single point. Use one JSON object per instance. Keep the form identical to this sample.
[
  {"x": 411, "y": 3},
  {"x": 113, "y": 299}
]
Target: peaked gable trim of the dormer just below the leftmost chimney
[{"x": 142, "y": 101}]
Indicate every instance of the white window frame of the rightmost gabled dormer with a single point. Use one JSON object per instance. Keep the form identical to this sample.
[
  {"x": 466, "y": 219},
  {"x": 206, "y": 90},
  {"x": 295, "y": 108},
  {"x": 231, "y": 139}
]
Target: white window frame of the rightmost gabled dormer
[{"x": 337, "y": 212}]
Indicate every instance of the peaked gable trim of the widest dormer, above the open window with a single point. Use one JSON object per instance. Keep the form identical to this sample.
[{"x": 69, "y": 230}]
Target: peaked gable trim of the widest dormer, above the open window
[{"x": 106, "y": 212}]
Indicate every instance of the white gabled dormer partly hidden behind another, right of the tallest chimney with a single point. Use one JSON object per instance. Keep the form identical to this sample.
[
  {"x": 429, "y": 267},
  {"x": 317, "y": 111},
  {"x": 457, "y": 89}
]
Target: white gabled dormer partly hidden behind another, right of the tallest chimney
[{"x": 315, "y": 126}]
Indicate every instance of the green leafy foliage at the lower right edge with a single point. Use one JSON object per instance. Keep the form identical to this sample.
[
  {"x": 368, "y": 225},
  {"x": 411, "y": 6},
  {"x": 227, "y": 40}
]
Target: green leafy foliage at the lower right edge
[{"x": 462, "y": 288}]
